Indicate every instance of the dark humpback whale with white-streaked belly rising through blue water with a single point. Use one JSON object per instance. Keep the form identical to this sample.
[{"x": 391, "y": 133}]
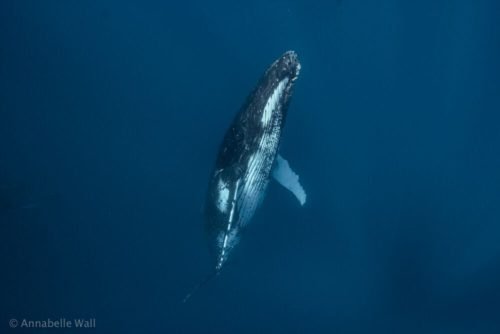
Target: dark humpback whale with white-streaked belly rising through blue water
[{"x": 247, "y": 160}]
